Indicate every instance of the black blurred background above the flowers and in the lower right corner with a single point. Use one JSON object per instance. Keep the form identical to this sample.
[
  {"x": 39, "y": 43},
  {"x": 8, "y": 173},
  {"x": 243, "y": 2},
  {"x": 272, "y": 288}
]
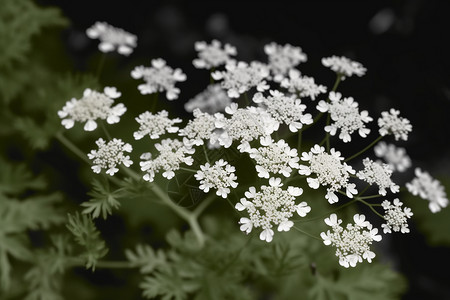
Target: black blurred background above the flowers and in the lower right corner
[{"x": 403, "y": 44}]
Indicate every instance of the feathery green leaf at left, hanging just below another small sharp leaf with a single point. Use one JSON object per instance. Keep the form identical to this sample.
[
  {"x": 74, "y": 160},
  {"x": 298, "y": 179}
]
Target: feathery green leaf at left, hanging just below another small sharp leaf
[{"x": 87, "y": 236}]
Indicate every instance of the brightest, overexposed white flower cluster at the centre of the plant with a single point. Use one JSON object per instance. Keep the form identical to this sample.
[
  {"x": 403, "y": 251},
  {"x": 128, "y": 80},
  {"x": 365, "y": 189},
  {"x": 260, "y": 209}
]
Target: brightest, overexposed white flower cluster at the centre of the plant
[{"x": 244, "y": 125}]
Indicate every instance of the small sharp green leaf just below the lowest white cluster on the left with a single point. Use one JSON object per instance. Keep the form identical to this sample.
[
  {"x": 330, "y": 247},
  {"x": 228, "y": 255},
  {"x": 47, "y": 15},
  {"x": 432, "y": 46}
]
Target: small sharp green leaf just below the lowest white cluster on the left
[{"x": 103, "y": 199}]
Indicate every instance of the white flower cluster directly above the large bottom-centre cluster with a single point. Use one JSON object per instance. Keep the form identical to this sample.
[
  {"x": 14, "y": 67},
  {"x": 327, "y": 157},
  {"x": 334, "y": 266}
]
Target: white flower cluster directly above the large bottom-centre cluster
[{"x": 275, "y": 158}]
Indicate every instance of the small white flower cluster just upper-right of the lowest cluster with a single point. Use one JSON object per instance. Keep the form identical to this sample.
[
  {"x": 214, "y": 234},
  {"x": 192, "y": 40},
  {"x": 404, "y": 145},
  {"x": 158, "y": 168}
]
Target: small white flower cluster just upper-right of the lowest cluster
[{"x": 396, "y": 218}]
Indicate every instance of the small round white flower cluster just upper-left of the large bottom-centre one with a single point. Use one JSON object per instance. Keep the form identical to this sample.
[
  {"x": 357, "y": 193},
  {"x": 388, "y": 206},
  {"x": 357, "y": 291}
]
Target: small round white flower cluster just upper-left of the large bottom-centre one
[{"x": 219, "y": 176}]
